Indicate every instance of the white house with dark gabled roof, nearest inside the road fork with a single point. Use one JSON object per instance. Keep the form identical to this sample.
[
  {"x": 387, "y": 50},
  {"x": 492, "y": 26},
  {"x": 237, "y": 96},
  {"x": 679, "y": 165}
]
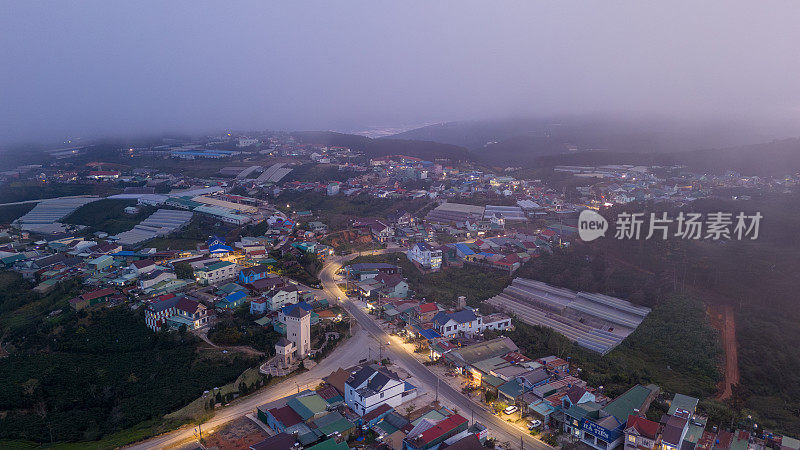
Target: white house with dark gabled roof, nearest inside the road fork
[{"x": 370, "y": 388}]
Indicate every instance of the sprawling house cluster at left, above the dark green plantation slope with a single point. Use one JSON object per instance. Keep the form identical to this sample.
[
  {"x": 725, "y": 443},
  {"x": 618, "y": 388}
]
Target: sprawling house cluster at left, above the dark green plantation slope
[{"x": 237, "y": 274}]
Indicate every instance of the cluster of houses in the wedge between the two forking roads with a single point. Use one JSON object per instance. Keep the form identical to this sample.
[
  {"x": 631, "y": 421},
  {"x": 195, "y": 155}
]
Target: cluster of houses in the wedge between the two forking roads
[{"x": 360, "y": 398}]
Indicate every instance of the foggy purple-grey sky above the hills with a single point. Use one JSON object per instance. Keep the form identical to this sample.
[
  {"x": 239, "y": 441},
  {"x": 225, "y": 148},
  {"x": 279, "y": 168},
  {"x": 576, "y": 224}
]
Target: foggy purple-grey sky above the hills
[{"x": 110, "y": 67}]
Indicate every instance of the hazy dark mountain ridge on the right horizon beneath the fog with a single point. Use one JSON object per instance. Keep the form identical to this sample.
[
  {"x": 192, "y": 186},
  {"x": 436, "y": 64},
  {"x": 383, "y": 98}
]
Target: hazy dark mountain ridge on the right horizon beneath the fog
[{"x": 593, "y": 141}]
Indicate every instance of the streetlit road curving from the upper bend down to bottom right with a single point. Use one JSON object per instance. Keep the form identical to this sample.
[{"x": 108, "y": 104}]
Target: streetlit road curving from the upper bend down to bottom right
[{"x": 500, "y": 429}]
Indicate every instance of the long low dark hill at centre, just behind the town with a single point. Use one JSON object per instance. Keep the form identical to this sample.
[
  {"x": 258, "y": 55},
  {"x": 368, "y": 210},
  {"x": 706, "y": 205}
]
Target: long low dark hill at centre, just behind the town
[{"x": 383, "y": 147}]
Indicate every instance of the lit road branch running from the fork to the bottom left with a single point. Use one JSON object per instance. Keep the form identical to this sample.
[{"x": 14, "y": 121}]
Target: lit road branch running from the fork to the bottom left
[{"x": 346, "y": 355}]
